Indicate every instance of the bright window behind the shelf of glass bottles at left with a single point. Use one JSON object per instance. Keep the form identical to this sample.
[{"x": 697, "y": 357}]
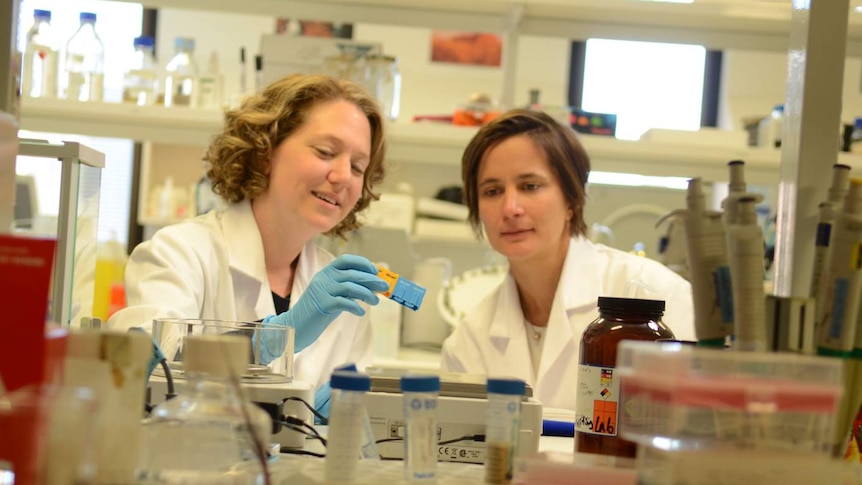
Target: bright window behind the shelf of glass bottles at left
[{"x": 118, "y": 24}]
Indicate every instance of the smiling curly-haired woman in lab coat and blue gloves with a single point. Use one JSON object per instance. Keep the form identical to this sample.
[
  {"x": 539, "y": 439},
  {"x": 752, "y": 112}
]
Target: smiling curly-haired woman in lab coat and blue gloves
[{"x": 298, "y": 159}]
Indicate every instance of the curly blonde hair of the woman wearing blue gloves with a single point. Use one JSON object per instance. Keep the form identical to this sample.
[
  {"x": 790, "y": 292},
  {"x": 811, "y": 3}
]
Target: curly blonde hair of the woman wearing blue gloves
[{"x": 238, "y": 158}]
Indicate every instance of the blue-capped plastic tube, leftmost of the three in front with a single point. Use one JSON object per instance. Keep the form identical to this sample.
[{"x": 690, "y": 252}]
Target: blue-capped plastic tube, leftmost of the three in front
[{"x": 346, "y": 415}]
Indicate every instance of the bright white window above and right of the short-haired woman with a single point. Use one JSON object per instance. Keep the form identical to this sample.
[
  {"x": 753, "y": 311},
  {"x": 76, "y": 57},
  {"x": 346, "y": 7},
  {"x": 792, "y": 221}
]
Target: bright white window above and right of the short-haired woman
[{"x": 647, "y": 84}]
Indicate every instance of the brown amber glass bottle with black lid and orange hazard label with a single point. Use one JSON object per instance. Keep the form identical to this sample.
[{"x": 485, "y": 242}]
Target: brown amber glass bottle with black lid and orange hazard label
[{"x": 599, "y": 401}]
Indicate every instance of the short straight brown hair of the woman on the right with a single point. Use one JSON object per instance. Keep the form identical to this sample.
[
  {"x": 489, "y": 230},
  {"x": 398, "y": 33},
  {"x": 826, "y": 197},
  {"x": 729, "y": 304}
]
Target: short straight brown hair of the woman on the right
[{"x": 564, "y": 152}]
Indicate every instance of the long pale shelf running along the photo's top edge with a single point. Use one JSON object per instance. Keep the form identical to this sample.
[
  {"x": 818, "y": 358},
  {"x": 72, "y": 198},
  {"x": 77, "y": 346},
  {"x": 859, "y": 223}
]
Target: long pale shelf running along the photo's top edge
[{"x": 716, "y": 24}]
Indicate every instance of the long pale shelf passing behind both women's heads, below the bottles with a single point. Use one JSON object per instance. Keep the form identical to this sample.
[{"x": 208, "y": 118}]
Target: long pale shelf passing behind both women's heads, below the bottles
[{"x": 423, "y": 142}]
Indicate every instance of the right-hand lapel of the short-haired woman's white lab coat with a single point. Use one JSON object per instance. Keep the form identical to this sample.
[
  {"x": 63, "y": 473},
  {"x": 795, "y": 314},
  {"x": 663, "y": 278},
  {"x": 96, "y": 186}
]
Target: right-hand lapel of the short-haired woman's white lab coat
[{"x": 577, "y": 288}]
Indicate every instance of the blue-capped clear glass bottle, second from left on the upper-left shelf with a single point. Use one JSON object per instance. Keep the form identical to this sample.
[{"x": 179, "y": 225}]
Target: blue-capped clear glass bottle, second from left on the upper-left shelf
[{"x": 85, "y": 62}]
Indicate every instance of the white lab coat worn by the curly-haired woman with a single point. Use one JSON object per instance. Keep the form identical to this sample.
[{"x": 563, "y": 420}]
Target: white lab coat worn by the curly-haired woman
[{"x": 212, "y": 267}]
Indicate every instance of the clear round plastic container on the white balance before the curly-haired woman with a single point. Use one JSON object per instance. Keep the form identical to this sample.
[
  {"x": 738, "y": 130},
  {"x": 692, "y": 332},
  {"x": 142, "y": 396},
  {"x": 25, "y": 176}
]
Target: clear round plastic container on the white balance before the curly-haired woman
[{"x": 171, "y": 333}]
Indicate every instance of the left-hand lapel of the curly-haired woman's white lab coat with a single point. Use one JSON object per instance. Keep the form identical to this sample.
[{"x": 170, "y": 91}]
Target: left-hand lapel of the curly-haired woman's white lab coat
[{"x": 245, "y": 253}]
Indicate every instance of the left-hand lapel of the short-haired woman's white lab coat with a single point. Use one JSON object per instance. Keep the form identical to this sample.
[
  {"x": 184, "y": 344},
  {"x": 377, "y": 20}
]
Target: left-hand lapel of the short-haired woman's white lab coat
[{"x": 508, "y": 335}]
